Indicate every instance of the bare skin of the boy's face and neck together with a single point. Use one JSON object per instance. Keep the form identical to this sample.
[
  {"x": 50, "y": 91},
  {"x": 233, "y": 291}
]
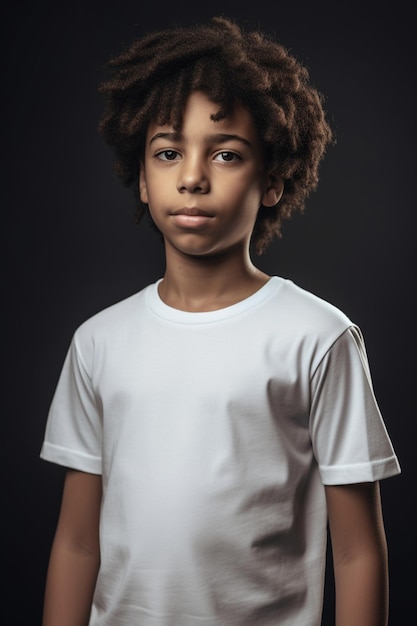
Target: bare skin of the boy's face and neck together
[{"x": 216, "y": 168}]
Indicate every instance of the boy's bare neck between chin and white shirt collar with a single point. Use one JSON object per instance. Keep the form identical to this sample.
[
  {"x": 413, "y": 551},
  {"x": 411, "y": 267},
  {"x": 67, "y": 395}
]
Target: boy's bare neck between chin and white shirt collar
[{"x": 208, "y": 283}]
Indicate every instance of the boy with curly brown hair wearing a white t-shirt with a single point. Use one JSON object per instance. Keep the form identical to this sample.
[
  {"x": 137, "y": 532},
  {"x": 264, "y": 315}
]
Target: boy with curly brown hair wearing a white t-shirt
[{"x": 213, "y": 423}]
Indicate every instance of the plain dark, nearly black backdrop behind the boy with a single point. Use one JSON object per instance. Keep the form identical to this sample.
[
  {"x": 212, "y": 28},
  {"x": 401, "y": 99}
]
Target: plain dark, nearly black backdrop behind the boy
[{"x": 71, "y": 246}]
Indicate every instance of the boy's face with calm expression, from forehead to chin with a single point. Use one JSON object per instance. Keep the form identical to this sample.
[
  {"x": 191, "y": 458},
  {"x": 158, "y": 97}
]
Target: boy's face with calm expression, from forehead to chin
[{"x": 204, "y": 184}]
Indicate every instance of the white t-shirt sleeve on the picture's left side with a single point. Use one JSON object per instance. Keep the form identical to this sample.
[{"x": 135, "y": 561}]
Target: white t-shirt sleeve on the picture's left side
[{"x": 73, "y": 431}]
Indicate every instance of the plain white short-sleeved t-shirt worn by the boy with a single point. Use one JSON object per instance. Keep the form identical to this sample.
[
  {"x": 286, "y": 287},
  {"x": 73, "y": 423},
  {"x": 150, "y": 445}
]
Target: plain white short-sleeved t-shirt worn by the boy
[{"x": 215, "y": 434}]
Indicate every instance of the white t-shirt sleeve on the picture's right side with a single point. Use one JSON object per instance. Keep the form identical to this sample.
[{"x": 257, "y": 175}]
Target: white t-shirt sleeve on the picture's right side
[{"x": 349, "y": 437}]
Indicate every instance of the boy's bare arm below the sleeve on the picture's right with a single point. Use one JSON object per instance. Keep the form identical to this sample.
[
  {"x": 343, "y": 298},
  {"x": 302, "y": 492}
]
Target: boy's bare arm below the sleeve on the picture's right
[{"x": 359, "y": 554}]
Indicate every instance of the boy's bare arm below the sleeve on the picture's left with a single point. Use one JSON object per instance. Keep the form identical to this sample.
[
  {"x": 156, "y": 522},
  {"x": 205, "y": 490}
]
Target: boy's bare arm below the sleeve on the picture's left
[{"x": 75, "y": 554}]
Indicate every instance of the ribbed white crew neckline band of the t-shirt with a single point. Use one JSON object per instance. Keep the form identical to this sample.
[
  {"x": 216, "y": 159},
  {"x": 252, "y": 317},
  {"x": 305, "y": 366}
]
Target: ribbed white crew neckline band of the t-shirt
[{"x": 163, "y": 310}]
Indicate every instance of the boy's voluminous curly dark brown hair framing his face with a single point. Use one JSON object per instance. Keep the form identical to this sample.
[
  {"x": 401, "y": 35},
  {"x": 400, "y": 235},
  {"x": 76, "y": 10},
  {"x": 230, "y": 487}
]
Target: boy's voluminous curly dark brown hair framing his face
[{"x": 152, "y": 79}]
